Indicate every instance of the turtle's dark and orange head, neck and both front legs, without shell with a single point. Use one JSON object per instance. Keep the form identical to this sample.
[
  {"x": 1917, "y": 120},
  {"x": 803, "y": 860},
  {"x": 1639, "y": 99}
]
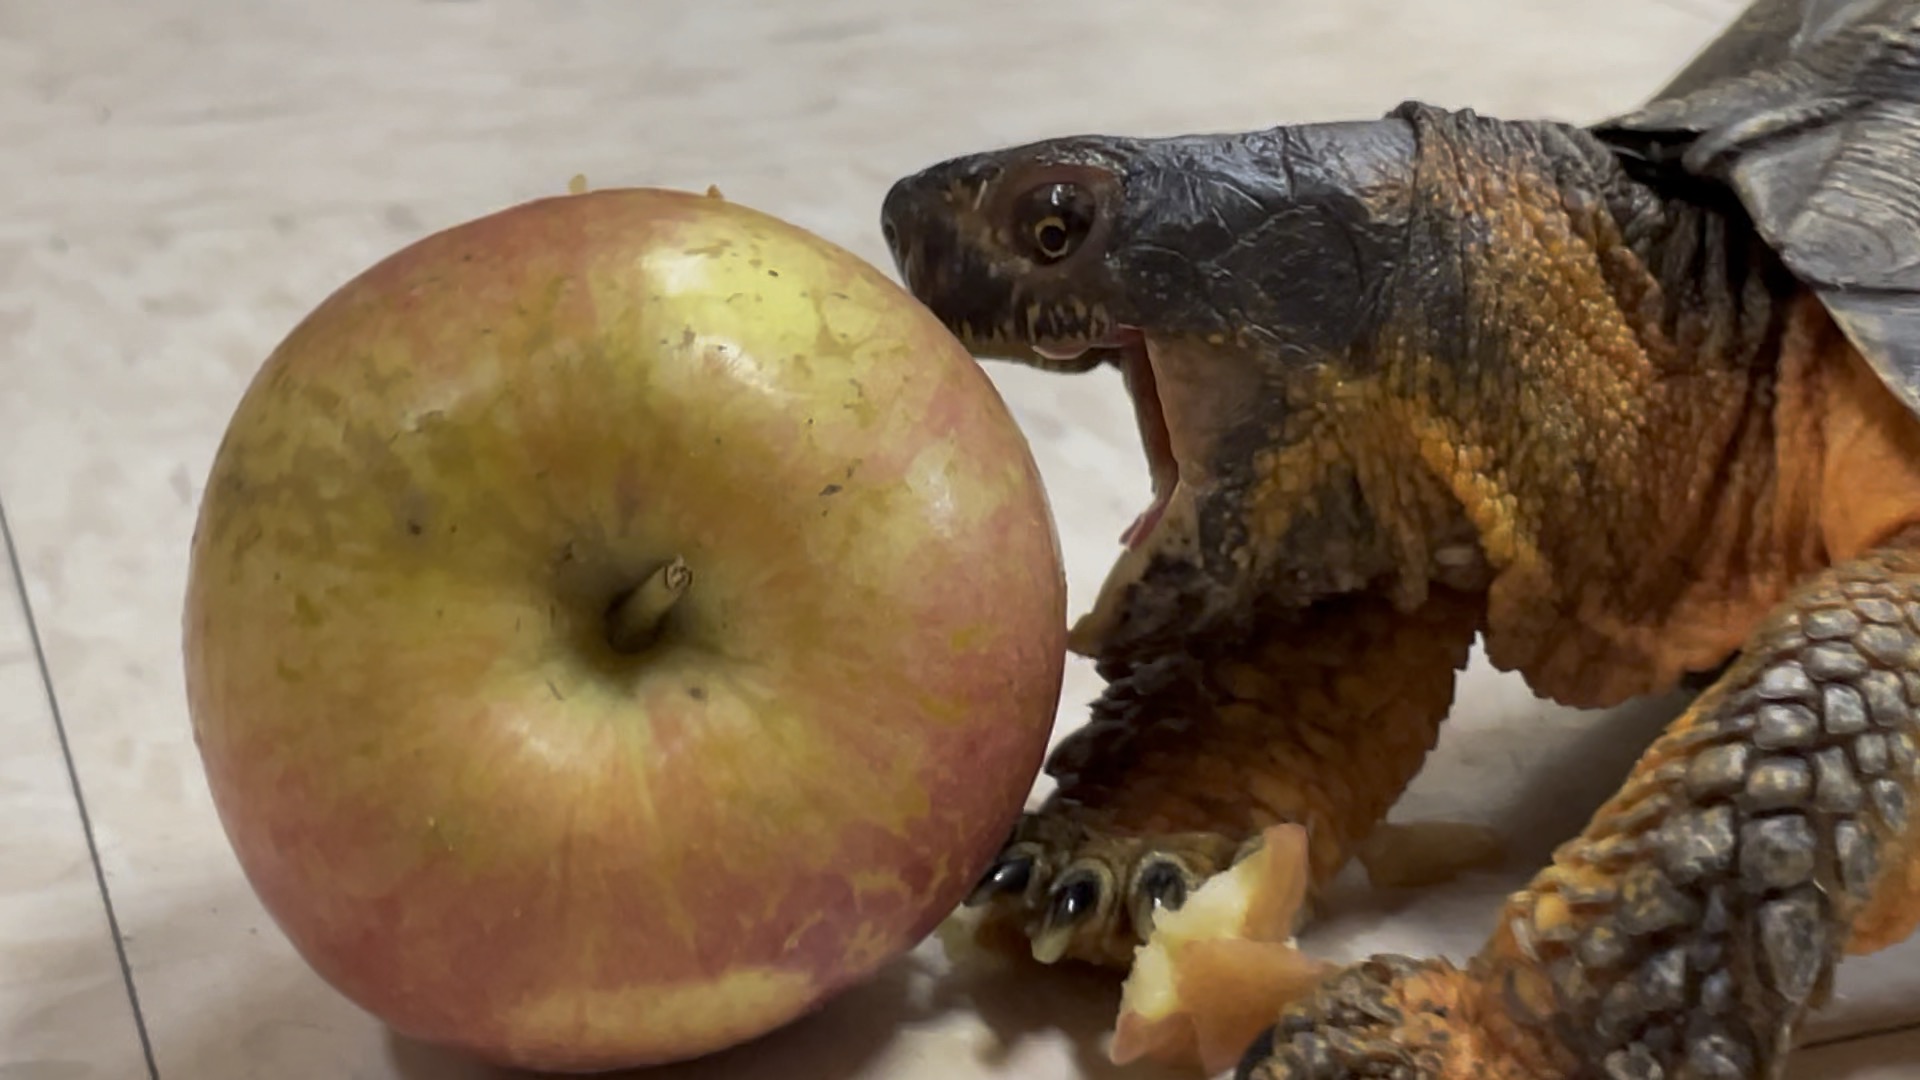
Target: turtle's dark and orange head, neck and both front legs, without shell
[{"x": 1587, "y": 418}]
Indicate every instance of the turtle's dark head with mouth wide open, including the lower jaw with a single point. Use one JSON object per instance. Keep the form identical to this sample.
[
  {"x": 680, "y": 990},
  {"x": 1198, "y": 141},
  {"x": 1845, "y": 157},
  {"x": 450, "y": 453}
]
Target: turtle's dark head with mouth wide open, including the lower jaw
[{"x": 1236, "y": 282}]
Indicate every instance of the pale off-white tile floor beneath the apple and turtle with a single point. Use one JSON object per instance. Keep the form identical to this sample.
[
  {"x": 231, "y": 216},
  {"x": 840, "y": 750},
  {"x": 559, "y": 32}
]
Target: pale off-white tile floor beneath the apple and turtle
[{"x": 185, "y": 178}]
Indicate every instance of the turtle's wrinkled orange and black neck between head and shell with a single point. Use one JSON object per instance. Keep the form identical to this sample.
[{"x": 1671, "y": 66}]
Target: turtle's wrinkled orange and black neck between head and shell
[{"x": 1589, "y": 368}]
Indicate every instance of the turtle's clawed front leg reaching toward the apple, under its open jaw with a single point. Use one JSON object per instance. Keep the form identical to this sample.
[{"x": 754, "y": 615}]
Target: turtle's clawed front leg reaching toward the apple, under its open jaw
[{"x": 1188, "y": 760}]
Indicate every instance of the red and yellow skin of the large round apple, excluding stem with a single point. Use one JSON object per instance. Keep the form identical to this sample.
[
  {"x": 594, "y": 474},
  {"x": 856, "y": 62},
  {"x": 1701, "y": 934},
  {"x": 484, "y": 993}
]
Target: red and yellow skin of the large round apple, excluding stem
[{"x": 464, "y": 808}]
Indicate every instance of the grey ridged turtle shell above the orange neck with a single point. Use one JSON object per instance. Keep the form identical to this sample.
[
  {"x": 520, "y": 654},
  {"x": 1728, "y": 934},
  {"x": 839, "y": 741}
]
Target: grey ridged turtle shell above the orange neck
[{"x": 1810, "y": 110}]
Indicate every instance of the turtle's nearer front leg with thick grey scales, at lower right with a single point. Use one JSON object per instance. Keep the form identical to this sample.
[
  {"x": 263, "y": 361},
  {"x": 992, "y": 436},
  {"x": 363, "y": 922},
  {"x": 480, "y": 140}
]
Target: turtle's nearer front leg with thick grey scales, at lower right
[{"x": 1698, "y": 920}]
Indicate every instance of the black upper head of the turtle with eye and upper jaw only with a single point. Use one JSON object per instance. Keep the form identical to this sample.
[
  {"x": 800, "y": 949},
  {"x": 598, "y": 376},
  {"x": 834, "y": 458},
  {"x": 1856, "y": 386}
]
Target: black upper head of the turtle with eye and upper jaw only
[{"x": 1055, "y": 253}]
